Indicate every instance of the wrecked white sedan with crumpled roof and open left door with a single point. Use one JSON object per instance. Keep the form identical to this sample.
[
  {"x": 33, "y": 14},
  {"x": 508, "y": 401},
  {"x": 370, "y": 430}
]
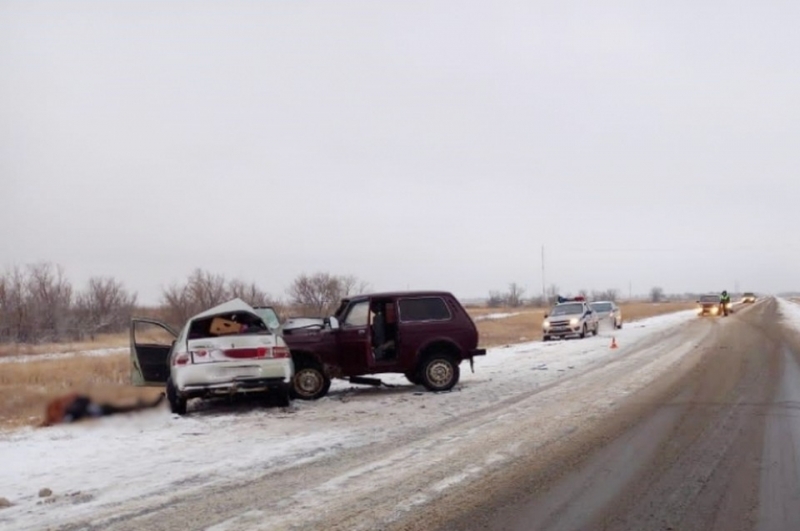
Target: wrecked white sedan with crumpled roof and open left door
[{"x": 226, "y": 350}]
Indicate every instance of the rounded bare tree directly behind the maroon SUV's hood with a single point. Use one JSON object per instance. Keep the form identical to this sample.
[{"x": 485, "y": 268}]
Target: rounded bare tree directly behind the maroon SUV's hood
[{"x": 319, "y": 294}]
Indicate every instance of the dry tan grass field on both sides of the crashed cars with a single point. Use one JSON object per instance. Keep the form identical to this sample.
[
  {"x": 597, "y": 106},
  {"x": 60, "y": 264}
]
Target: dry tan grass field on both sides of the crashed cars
[{"x": 25, "y": 387}]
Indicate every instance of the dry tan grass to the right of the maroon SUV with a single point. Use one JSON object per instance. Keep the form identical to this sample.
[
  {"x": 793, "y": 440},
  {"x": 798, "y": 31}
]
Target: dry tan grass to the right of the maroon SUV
[{"x": 527, "y": 325}]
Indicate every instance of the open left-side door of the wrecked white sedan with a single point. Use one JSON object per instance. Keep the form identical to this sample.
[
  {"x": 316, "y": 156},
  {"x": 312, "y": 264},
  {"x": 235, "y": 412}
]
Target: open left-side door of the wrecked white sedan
[{"x": 151, "y": 343}]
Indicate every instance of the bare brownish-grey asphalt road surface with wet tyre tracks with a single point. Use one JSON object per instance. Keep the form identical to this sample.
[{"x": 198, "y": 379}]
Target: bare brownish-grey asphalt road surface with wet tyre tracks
[{"x": 714, "y": 446}]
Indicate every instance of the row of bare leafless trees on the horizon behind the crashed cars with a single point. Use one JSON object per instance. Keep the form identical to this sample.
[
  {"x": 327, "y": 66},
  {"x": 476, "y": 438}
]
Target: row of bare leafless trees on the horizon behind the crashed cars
[{"x": 39, "y": 304}]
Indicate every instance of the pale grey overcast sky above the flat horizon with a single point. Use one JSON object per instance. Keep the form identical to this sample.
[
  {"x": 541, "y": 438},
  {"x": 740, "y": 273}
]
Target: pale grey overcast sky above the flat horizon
[{"x": 415, "y": 144}]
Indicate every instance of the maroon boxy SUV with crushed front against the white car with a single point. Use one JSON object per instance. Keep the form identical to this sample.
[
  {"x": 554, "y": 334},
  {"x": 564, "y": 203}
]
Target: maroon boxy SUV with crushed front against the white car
[{"x": 423, "y": 334}]
